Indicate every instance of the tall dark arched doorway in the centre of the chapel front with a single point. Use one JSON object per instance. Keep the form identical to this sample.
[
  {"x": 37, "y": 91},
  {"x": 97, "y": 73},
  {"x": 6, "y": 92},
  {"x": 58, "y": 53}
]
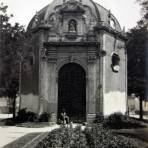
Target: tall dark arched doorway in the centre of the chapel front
[{"x": 72, "y": 91}]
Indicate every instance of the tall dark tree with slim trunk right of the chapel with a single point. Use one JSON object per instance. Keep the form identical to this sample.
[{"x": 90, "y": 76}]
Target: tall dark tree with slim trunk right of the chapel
[{"x": 137, "y": 50}]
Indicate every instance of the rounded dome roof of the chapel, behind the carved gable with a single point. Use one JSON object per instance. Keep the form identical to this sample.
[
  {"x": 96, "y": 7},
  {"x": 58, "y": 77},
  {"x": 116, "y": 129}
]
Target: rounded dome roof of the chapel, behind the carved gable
[{"x": 99, "y": 13}]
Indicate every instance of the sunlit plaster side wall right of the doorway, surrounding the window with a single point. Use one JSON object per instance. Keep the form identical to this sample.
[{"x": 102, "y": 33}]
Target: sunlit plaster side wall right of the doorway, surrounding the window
[{"x": 114, "y": 83}]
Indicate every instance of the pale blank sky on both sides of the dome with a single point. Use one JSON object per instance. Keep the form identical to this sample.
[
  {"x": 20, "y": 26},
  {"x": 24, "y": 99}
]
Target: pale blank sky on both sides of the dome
[{"x": 126, "y": 11}]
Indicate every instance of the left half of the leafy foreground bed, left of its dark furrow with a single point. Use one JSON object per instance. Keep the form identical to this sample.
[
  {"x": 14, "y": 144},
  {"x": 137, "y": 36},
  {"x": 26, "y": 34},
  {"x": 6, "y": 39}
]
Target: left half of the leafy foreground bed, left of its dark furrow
[{"x": 66, "y": 138}]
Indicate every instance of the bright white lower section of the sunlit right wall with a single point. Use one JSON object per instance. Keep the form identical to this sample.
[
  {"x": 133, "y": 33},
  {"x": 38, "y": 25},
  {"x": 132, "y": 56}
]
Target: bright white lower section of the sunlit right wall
[{"x": 114, "y": 102}]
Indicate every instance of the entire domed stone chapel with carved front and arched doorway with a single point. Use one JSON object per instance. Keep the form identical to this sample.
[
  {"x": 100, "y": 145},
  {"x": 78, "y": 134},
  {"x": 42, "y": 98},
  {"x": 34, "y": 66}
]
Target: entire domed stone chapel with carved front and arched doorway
[{"x": 78, "y": 61}]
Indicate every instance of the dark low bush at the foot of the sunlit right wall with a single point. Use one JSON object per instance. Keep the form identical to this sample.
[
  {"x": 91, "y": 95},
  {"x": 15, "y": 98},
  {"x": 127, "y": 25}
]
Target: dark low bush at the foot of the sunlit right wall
[{"x": 119, "y": 121}]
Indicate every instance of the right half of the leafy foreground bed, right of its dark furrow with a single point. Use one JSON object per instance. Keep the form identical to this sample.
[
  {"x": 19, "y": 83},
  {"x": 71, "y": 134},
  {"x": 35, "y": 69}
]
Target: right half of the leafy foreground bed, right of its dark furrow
[{"x": 99, "y": 137}]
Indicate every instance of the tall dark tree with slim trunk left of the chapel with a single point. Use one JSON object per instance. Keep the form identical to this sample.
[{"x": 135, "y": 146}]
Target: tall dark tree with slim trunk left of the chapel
[{"x": 12, "y": 39}]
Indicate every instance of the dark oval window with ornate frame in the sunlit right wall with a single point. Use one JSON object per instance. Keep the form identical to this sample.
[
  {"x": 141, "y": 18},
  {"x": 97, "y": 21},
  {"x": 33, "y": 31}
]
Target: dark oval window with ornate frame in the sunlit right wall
[{"x": 115, "y": 62}]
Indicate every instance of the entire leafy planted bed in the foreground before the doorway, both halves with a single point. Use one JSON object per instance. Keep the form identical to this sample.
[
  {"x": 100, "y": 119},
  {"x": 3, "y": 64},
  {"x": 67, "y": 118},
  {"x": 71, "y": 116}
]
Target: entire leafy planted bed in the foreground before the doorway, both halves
[{"x": 92, "y": 137}]
